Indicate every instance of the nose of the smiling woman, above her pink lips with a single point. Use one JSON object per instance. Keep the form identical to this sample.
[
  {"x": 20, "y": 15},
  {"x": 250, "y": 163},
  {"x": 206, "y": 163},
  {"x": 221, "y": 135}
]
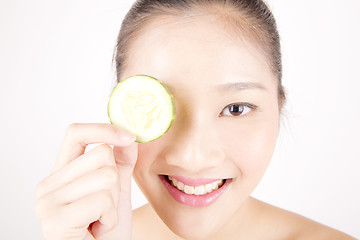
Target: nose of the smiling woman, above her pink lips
[{"x": 194, "y": 146}]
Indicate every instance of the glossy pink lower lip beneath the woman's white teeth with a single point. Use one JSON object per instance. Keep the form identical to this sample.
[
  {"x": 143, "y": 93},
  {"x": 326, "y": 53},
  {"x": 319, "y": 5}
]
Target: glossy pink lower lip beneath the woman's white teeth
[{"x": 194, "y": 200}]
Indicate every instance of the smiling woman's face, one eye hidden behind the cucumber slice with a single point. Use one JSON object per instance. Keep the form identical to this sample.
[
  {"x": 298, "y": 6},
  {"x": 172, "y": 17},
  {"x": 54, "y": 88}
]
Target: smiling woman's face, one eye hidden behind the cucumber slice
[{"x": 217, "y": 80}]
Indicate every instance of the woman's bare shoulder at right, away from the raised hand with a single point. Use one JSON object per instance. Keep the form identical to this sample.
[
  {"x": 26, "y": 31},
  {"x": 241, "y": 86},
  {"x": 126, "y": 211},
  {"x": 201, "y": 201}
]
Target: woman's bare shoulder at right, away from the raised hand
[{"x": 295, "y": 226}]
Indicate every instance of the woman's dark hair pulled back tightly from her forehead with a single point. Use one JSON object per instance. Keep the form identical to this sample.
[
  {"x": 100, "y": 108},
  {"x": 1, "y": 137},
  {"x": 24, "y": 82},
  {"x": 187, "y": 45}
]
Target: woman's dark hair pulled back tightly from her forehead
[{"x": 252, "y": 17}]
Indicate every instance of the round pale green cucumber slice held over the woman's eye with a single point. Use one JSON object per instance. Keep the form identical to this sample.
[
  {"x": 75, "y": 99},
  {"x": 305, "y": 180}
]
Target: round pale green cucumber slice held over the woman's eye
[{"x": 143, "y": 106}]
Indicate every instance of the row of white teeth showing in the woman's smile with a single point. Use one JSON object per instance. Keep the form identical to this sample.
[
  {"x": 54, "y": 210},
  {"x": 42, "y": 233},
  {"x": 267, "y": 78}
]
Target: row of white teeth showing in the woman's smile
[{"x": 198, "y": 190}]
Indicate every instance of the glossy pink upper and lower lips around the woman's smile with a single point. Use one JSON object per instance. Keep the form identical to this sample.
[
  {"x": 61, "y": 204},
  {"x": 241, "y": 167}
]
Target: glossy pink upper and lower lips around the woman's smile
[{"x": 194, "y": 200}]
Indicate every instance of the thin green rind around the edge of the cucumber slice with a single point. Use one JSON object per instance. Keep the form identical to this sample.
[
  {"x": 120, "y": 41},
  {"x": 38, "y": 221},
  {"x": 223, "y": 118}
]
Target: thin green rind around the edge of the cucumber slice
[{"x": 168, "y": 92}]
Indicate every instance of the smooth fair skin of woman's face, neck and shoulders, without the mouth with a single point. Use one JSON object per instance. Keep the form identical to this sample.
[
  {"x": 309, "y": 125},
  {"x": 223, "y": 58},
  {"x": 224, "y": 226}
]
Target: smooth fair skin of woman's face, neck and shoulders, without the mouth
[{"x": 197, "y": 57}]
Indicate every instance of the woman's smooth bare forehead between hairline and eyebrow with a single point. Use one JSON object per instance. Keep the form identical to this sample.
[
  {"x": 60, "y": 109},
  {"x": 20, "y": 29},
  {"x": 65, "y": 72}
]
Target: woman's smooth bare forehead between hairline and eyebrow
[{"x": 194, "y": 48}]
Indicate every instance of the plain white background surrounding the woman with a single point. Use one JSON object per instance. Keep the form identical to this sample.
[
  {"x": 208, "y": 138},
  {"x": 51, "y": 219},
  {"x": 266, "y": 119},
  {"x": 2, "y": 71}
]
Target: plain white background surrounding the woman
[{"x": 56, "y": 68}]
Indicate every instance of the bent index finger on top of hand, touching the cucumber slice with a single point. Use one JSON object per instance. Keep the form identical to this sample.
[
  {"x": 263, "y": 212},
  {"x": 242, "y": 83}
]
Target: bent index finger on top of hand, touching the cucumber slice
[{"x": 79, "y": 135}]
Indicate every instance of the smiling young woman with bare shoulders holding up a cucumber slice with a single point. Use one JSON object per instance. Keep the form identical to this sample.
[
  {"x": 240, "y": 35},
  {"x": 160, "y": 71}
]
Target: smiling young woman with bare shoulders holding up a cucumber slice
[{"x": 221, "y": 61}]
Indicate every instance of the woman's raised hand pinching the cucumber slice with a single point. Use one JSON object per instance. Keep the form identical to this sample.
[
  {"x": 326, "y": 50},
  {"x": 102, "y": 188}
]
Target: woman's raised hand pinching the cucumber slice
[{"x": 87, "y": 195}]
